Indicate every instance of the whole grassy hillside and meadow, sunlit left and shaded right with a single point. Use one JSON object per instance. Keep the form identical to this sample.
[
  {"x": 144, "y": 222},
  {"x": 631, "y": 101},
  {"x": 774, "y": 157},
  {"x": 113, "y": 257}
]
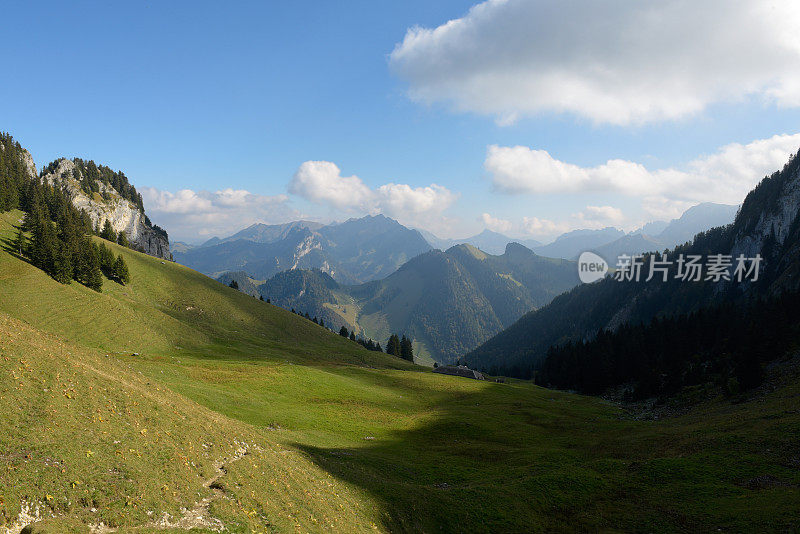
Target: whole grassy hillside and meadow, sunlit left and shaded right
[{"x": 245, "y": 414}]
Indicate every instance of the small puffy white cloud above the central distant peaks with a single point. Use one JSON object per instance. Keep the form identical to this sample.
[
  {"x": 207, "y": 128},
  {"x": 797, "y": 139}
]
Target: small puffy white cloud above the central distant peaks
[{"x": 322, "y": 182}]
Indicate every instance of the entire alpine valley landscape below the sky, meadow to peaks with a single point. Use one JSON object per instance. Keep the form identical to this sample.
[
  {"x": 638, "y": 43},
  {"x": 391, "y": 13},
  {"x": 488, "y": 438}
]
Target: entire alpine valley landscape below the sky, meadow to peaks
[{"x": 146, "y": 396}]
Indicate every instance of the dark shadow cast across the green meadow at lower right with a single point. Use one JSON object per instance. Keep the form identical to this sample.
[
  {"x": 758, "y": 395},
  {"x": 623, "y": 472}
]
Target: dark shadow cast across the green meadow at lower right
[{"x": 521, "y": 459}]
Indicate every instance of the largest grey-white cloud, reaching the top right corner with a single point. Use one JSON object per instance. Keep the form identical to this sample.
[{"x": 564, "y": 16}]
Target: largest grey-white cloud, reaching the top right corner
[{"x": 615, "y": 61}]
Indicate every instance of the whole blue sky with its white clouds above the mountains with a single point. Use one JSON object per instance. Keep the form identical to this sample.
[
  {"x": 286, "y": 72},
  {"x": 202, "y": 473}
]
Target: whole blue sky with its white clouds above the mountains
[{"x": 194, "y": 99}]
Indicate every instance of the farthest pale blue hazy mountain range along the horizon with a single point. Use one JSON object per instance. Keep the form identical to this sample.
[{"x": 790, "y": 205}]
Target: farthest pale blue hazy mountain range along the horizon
[{"x": 373, "y": 247}]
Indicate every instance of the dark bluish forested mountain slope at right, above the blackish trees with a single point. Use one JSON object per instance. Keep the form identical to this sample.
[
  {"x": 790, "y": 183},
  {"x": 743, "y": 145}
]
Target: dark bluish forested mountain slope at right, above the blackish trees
[{"x": 767, "y": 223}]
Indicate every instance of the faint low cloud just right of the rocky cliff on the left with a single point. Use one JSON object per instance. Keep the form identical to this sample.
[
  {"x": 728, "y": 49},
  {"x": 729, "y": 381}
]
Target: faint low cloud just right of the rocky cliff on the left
[{"x": 193, "y": 215}]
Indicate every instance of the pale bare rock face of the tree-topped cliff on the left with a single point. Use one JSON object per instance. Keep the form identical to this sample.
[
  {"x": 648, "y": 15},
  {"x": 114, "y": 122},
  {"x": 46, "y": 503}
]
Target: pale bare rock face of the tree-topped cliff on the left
[{"x": 108, "y": 205}]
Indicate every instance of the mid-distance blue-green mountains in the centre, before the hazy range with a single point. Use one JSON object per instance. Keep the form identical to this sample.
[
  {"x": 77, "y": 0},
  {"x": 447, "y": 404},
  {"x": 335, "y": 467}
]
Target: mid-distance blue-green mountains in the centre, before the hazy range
[{"x": 446, "y": 302}]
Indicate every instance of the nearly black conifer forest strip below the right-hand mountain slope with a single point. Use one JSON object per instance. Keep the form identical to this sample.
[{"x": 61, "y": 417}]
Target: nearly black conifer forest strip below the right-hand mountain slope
[{"x": 726, "y": 346}]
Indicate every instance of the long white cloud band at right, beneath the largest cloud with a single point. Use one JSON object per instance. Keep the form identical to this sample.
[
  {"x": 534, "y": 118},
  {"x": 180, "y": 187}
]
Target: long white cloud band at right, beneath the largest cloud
[{"x": 726, "y": 176}]
